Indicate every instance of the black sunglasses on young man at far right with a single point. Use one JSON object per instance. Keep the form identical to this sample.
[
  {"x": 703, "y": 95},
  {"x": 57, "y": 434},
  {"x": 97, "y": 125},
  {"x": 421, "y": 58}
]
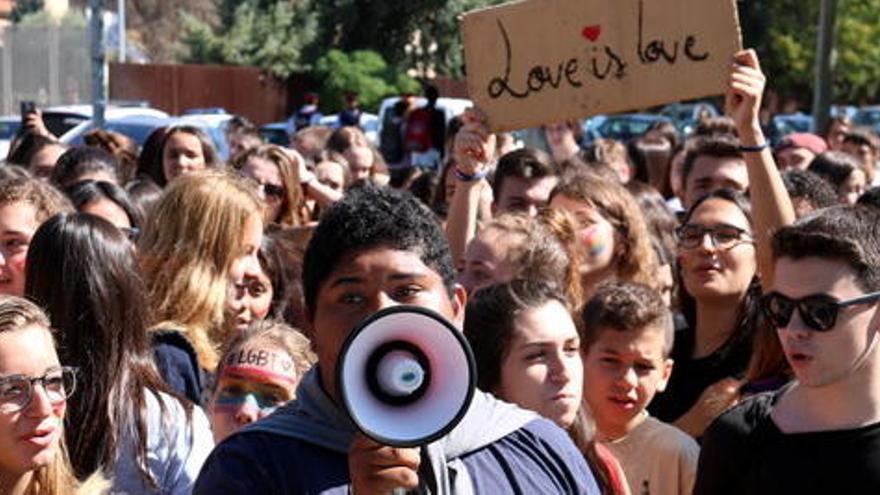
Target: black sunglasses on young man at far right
[{"x": 817, "y": 311}]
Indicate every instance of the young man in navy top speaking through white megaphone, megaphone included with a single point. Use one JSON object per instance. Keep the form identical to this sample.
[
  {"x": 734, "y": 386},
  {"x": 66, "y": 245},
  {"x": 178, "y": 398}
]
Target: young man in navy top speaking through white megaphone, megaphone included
[{"x": 373, "y": 251}]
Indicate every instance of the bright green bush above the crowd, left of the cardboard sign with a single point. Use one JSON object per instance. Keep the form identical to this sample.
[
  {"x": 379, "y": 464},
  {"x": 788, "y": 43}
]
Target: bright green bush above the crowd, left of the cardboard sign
[{"x": 363, "y": 71}]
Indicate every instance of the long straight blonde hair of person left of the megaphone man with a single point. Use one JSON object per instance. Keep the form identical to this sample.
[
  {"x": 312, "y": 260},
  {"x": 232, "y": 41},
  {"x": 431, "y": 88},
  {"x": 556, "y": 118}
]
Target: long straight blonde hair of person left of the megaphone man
[{"x": 187, "y": 246}]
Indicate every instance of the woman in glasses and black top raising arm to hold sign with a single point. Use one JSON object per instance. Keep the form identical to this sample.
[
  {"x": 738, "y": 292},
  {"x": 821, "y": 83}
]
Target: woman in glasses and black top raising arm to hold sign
[{"x": 725, "y": 259}]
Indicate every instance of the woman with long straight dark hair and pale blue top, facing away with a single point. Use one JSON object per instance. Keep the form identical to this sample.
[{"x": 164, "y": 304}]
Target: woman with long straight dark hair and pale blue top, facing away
[{"x": 123, "y": 420}]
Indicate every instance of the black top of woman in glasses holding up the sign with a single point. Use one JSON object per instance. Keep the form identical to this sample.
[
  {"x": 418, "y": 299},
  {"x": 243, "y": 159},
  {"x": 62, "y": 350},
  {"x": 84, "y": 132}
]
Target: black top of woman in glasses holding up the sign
[{"x": 691, "y": 376}]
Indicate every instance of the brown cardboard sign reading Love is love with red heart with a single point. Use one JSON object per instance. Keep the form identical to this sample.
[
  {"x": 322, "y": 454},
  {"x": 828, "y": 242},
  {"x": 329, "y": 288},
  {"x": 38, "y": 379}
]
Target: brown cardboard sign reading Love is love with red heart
[{"x": 541, "y": 61}]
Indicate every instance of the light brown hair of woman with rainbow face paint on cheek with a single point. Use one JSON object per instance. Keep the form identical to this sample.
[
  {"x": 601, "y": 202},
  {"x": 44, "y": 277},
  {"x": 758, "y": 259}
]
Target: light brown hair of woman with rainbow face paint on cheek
[{"x": 635, "y": 260}]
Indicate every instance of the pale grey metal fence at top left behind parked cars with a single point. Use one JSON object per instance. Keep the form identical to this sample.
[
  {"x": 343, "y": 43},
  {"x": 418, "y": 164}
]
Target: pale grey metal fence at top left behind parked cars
[{"x": 49, "y": 65}]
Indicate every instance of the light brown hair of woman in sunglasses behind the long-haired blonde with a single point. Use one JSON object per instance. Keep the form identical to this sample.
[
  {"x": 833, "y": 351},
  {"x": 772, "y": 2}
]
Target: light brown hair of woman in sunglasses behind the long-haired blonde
[{"x": 291, "y": 214}]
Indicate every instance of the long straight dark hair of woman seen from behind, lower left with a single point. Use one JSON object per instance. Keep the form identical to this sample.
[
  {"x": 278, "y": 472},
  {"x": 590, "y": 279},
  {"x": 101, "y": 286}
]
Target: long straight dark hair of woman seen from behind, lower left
[{"x": 82, "y": 270}]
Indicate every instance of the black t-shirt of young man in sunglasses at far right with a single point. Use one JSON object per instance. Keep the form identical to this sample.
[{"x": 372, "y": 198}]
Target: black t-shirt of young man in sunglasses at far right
[{"x": 744, "y": 452}]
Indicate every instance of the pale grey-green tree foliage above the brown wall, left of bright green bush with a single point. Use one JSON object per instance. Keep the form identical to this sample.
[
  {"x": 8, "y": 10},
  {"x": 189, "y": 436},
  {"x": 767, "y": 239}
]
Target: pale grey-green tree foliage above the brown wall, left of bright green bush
[{"x": 270, "y": 35}]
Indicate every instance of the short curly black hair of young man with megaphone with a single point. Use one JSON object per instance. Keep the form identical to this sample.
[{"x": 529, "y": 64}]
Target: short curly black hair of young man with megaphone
[{"x": 368, "y": 217}]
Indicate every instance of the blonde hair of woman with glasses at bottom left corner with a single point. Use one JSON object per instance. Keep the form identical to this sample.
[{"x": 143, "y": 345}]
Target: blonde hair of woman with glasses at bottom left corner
[{"x": 56, "y": 477}]
